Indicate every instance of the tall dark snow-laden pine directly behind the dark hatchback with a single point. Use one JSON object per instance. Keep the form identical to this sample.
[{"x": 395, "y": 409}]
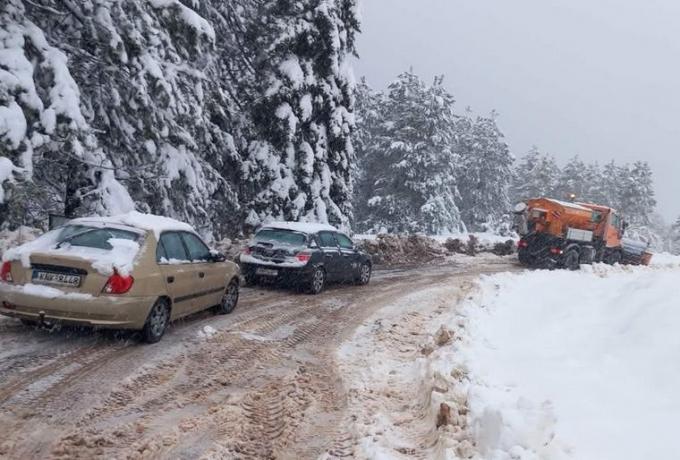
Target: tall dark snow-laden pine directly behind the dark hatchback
[{"x": 300, "y": 169}]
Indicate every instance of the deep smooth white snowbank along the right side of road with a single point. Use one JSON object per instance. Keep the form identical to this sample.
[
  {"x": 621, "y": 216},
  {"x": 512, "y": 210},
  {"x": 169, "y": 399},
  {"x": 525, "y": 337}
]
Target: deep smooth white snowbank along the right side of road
[{"x": 572, "y": 364}]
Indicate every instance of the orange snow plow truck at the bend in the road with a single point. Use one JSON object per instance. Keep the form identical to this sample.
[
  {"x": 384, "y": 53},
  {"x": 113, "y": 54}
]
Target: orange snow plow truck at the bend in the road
[{"x": 559, "y": 234}]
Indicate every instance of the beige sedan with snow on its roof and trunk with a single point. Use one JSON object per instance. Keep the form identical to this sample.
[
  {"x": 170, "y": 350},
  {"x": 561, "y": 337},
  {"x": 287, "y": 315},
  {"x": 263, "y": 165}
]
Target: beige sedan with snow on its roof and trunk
[{"x": 133, "y": 271}]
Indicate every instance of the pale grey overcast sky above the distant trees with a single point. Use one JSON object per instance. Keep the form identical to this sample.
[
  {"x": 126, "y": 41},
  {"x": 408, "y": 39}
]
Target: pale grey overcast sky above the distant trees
[{"x": 597, "y": 78}]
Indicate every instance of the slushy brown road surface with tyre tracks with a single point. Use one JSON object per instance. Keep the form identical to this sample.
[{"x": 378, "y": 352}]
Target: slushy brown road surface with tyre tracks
[{"x": 272, "y": 379}]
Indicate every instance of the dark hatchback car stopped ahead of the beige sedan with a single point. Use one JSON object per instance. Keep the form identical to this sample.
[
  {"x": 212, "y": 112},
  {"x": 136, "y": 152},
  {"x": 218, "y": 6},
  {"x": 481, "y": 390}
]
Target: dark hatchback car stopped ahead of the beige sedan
[{"x": 303, "y": 255}]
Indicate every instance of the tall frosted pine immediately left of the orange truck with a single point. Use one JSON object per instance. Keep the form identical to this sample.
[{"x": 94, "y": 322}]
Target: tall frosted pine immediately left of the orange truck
[{"x": 485, "y": 172}]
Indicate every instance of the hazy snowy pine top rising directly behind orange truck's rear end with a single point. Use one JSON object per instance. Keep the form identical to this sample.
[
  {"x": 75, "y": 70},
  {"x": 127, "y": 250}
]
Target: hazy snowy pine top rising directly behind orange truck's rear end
[{"x": 535, "y": 175}]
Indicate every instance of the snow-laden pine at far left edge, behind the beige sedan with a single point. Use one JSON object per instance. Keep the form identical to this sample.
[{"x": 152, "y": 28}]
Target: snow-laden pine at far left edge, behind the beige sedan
[{"x": 47, "y": 138}]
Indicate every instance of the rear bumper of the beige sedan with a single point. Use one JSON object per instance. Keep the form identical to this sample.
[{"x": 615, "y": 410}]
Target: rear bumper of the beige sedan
[{"x": 103, "y": 311}]
